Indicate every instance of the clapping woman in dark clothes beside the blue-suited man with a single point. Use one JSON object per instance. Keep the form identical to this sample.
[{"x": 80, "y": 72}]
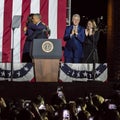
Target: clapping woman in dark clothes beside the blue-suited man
[{"x": 90, "y": 43}]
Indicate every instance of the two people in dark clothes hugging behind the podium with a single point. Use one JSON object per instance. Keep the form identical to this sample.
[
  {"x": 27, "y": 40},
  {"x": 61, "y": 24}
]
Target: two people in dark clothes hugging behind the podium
[{"x": 34, "y": 29}]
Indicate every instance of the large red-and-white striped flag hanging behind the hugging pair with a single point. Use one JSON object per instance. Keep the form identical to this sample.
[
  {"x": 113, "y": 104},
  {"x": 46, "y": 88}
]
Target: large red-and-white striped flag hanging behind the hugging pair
[{"x": 53, "y": 14}]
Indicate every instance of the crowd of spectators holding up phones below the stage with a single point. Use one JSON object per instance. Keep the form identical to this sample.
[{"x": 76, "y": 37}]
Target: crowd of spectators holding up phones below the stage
[{"x": 91, "y": 107}]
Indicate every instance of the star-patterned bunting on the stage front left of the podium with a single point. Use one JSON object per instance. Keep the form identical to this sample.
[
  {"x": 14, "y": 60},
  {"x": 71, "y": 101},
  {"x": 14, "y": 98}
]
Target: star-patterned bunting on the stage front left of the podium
[{"x": 22, "y": 71}]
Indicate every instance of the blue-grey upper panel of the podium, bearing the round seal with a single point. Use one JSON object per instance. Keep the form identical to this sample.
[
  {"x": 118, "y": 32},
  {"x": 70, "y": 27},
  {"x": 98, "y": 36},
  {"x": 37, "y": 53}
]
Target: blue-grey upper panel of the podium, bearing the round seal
[{"x": 46, "y": 49}]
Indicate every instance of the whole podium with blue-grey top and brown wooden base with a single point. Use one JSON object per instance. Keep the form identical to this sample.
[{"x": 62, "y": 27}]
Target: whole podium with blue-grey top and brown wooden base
[{"x": 46, "y": 55}]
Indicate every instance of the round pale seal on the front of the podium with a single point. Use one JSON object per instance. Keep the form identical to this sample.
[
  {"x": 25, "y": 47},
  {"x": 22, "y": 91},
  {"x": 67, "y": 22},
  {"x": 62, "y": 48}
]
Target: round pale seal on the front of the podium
[{"x": 47, "y": 46}]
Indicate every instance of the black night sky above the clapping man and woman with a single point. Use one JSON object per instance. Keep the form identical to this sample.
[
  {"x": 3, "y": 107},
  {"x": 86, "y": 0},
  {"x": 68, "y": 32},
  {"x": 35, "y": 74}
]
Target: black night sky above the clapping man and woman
[{"x": 90, "y": 8}]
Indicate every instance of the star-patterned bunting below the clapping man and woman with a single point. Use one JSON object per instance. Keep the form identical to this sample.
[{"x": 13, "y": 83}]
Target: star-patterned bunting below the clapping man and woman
[{"x": 82, "y": 72}]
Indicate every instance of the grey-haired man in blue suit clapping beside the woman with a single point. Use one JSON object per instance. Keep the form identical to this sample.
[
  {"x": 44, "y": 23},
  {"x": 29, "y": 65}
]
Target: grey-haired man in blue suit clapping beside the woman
[{"x": 74, "y": 37}]
